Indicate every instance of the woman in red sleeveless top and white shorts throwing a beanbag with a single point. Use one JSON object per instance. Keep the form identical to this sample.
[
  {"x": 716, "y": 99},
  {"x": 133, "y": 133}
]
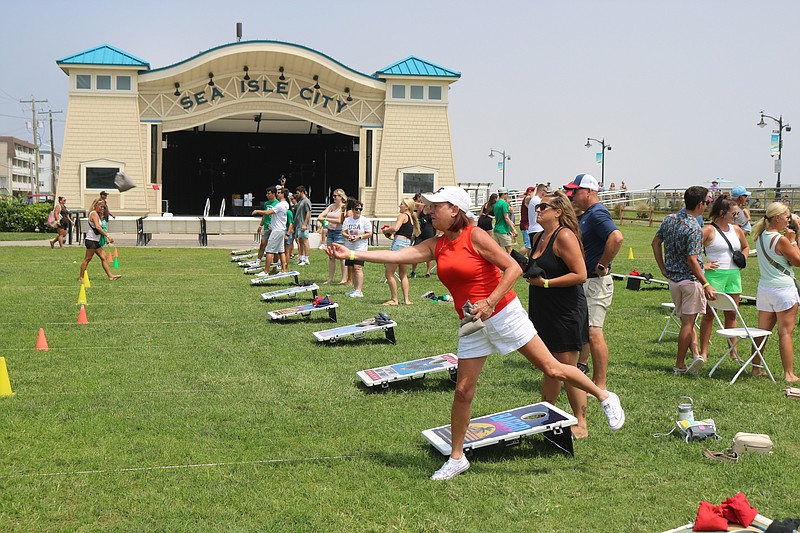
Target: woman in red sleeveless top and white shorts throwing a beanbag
[{"x": 469, "y": 263}]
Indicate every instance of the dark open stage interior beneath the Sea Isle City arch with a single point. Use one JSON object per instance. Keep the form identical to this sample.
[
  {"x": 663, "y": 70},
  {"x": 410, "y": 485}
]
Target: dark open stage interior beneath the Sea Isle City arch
[{"x": 199, "y": 165}]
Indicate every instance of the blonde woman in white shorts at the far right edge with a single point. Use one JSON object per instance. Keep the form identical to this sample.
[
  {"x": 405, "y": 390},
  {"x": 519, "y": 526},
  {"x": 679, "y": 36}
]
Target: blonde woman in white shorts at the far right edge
[{"x": 777, "y": 297}]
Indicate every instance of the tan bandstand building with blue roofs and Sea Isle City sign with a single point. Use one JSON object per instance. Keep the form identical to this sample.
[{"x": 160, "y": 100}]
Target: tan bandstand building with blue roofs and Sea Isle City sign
[{"x": 236, "y": 118}]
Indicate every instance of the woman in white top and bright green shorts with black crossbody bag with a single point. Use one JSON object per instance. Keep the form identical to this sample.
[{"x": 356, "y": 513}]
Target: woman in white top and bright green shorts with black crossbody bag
[{"x": 721, "y": 272}]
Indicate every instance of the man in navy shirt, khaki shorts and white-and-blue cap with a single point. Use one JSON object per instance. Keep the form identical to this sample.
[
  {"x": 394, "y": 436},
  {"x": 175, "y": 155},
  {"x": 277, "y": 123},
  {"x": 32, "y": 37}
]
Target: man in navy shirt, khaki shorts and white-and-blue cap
[{"x": 601, "y": 243}]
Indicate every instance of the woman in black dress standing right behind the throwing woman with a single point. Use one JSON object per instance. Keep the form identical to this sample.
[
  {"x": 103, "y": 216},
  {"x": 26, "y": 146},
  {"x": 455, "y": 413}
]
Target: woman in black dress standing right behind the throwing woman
[{"x": 557, "y": 304}]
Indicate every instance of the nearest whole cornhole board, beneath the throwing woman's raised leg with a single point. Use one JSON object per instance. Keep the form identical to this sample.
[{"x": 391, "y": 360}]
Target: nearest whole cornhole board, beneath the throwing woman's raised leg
[{"x": 508, "y": 428}]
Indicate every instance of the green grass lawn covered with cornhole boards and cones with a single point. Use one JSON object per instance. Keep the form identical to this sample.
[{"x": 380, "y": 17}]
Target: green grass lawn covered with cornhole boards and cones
[{"x": 180, "y": 365}]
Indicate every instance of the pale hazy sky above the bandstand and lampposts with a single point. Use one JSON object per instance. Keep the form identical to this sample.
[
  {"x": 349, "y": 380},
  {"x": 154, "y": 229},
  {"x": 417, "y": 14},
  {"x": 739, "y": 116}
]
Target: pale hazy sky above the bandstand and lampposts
[{"x": 676, "y": 88}]
